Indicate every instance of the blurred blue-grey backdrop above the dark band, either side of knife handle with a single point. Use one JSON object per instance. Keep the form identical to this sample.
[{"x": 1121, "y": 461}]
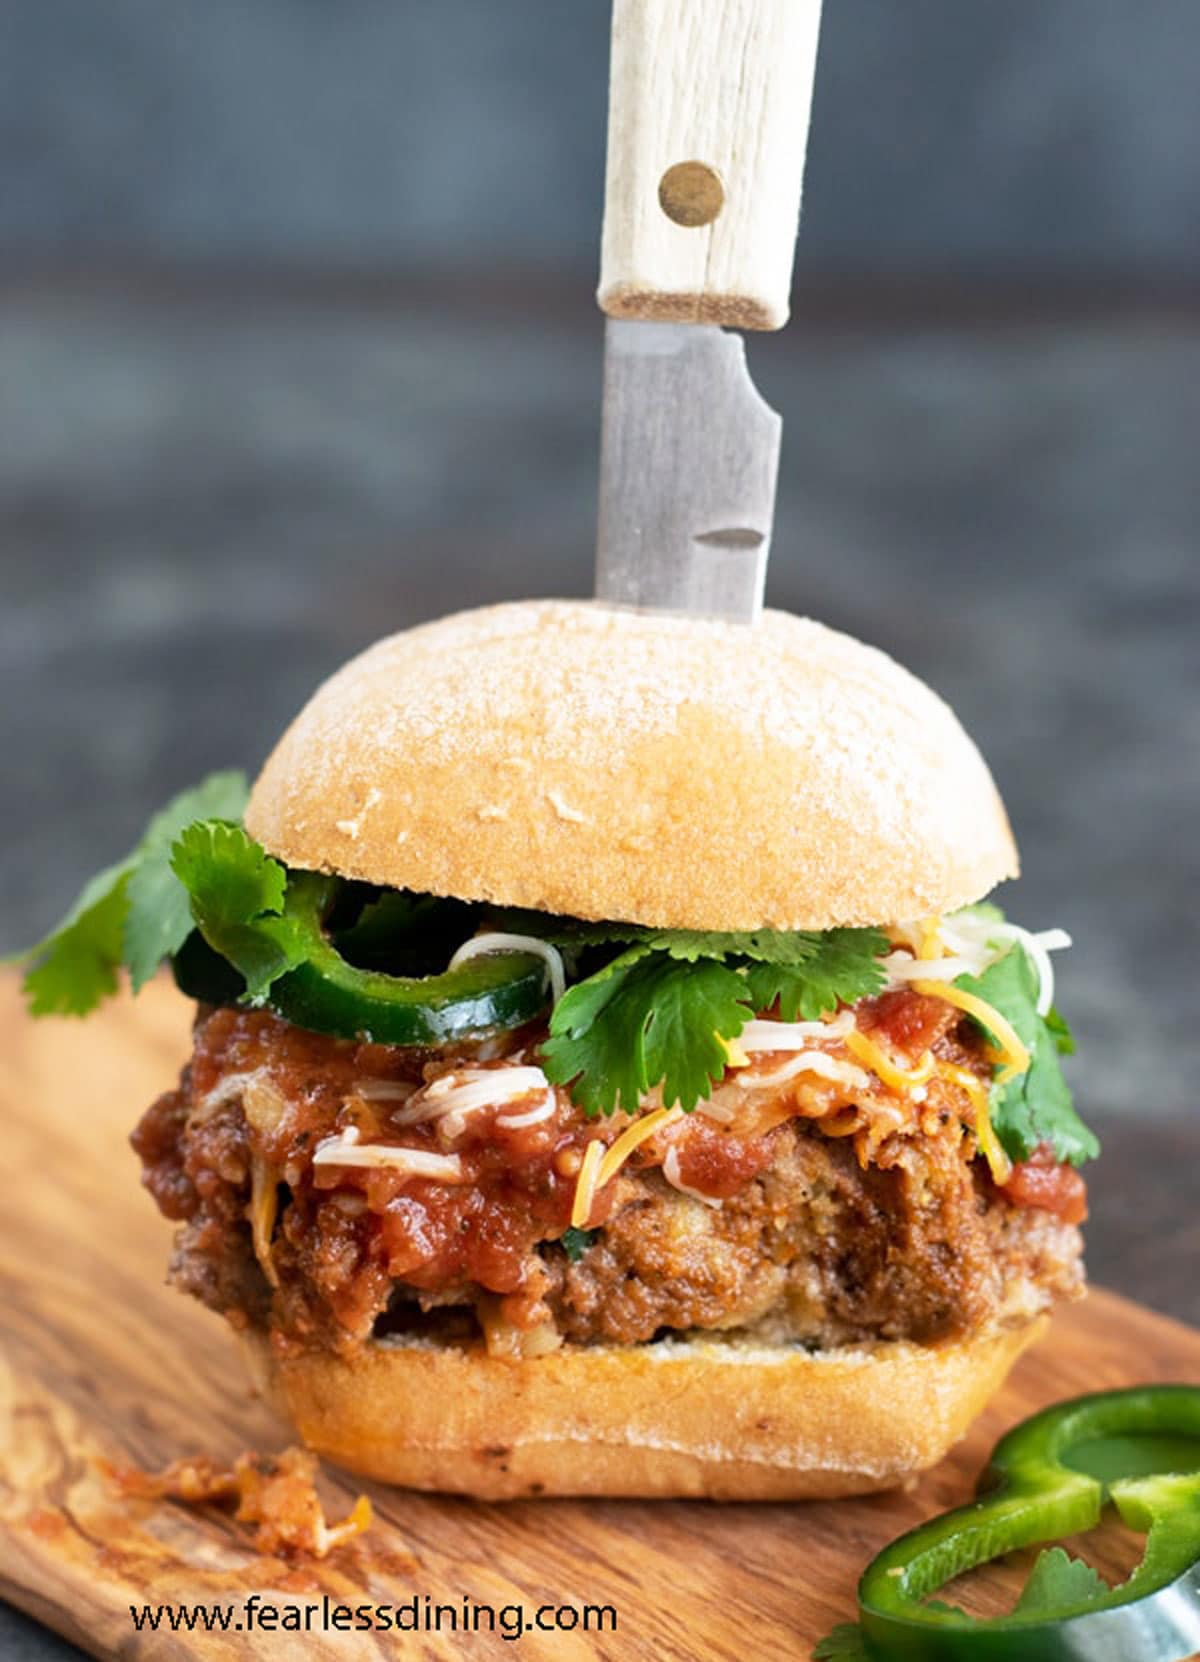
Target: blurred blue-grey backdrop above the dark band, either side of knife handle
[{"x": 1030, "y": 137}]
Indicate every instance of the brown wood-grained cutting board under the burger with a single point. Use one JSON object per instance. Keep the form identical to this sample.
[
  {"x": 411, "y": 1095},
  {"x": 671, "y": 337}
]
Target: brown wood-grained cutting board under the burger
[{"x": 104, "y": 1360}]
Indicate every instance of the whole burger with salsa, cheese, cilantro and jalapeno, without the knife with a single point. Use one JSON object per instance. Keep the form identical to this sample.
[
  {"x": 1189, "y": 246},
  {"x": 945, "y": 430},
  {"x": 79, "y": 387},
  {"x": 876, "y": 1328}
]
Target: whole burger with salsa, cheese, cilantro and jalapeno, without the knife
[{"x": 607, "y": 1074}]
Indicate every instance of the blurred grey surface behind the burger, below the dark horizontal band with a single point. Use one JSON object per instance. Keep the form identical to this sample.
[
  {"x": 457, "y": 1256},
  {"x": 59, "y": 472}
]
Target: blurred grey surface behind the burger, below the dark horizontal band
[{"x": 210, "y": 498}]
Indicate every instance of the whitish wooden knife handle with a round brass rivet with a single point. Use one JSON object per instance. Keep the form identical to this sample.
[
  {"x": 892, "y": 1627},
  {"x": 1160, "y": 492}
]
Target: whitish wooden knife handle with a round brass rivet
[{"x": 709, "y": 112}]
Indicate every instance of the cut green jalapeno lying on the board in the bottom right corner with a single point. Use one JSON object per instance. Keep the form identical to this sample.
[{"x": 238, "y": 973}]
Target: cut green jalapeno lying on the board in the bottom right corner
[{"x": 1036, "y": 1497}]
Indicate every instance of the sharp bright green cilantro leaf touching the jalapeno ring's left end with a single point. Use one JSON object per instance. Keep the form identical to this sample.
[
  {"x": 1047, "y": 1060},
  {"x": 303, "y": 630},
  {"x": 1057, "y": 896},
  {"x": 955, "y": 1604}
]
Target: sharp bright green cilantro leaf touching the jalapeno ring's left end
[{"x": 237, "y": 895}]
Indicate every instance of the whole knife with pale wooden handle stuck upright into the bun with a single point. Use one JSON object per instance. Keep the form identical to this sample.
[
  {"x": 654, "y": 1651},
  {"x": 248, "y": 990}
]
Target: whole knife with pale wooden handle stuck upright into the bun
[{"x": 709, "y": 116}]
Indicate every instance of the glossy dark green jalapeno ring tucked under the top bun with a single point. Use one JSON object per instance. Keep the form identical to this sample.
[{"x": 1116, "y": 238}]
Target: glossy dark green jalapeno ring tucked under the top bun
[{"x": 328, "y": 995}]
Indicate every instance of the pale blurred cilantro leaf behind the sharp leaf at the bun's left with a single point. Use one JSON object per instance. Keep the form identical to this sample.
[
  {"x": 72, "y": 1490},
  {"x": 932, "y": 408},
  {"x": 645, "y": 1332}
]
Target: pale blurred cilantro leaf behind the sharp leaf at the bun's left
[{"x": 160, "y": 918}]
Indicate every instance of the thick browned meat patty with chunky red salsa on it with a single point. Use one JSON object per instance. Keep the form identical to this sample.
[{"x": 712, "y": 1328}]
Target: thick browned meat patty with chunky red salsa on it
[{"x": 815, "y": 1232}]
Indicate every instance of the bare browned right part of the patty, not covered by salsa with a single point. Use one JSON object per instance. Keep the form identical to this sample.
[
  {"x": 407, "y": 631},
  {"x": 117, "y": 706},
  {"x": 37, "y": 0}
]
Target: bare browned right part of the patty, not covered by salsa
[{"x": 820, "y": 1249}]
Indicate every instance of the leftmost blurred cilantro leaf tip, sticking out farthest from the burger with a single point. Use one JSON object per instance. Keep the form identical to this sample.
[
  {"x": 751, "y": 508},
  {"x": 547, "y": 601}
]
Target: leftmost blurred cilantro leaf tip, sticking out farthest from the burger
[{"x": 77, "y": 965}]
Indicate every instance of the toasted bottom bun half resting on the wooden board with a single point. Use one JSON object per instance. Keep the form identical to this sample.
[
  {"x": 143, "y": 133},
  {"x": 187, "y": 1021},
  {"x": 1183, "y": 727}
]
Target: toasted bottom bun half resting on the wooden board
[{"x": 699, "y": 1417}]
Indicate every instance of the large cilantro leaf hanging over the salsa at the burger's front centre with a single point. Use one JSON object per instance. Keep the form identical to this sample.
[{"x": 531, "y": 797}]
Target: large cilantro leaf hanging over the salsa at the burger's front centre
[{"x": 646, "y": 1020}]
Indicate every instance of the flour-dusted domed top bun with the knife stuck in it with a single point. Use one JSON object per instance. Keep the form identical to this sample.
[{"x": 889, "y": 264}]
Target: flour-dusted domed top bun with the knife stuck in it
[{"x": 641, "y": 767}]
